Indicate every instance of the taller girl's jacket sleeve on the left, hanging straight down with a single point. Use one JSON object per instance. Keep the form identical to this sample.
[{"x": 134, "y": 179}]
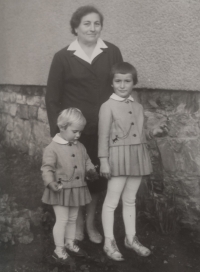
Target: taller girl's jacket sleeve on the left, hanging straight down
[{"x": 105, "y": 121}]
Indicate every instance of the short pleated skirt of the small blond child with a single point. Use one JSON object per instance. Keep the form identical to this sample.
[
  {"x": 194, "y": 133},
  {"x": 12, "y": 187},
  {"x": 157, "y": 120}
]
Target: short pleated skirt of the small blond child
[{"x": 67, "y": 197}]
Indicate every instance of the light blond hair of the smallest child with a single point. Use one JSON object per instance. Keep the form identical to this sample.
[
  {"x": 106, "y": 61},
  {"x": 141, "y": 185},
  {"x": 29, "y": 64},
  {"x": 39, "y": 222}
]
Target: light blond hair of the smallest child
[{"x": 70, "y": 116}]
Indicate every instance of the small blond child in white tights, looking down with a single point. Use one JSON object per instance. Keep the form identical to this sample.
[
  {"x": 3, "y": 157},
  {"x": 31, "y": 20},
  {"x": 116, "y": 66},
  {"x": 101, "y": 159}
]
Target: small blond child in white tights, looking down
[{"x": 65, "y": 162}]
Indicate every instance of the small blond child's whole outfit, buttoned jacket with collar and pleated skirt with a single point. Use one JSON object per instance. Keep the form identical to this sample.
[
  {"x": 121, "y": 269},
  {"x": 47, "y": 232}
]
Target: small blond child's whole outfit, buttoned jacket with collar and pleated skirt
[{"x": 69, "y": 163}]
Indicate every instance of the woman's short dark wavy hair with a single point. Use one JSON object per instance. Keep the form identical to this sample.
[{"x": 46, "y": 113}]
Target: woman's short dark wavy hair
[{"x": 80, "y": 13}]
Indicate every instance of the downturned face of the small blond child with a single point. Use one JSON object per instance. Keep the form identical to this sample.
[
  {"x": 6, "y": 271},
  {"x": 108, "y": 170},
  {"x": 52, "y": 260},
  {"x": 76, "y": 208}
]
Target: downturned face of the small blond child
[{"x": 72, "y": 132}]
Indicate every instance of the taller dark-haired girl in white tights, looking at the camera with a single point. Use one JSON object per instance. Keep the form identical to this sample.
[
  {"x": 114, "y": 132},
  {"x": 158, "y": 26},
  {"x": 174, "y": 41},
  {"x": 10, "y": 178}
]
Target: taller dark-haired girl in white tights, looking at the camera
[{"x": 124, "y": 157}]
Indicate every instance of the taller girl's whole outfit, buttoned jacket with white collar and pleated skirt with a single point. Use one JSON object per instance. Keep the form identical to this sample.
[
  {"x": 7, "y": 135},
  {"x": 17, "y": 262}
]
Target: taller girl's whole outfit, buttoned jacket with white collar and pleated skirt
[{"x": 122, "y": 137}]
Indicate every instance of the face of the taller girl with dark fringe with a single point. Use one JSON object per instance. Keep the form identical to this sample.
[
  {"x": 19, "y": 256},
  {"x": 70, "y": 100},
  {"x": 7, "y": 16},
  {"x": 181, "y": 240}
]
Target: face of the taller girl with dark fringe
[{"x": 123, "y": 84}]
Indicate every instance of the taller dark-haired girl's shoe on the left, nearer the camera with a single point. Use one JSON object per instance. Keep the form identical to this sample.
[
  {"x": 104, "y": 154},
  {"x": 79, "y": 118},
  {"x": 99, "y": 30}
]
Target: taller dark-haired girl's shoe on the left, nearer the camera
[{"x": 112, "y": 251}]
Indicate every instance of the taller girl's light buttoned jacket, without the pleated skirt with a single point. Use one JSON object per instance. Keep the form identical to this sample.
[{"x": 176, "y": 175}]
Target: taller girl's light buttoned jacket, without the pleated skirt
[{"x": 120, "y": 123}]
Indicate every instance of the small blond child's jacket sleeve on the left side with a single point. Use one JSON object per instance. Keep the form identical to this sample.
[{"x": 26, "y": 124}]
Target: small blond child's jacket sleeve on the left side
[{"x": 48, "y": 166}]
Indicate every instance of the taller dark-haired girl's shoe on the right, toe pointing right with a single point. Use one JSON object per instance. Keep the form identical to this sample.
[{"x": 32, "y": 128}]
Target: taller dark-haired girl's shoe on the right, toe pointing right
[{"x": 137, "y": 247}]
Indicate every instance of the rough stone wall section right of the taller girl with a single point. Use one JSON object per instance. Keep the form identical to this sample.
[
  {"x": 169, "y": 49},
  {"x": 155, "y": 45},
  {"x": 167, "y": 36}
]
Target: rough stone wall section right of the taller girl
[{"x": 176, "y": 157}]
